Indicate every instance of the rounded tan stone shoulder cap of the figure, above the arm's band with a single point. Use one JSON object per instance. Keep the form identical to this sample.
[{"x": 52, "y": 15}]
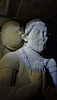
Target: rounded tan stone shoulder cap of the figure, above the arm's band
[{"x": 9, "y": 60}]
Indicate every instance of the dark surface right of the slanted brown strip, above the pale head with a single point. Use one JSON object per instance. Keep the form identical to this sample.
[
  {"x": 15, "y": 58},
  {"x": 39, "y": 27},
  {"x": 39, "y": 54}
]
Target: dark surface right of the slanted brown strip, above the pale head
[{"x": 31, "y": 9}]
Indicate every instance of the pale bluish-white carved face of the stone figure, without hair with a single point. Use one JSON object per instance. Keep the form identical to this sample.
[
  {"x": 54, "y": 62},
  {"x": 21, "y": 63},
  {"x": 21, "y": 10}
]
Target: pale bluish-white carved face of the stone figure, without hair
[{"x": 37, "y": 37}]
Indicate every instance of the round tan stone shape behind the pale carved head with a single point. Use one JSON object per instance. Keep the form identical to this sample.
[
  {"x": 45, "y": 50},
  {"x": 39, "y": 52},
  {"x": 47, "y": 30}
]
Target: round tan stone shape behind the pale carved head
[{"x": 11, "y": 35}]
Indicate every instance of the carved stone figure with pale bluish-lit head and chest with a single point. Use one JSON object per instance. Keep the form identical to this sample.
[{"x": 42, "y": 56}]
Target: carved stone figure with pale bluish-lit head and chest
[{"x": 25, "y": 72}]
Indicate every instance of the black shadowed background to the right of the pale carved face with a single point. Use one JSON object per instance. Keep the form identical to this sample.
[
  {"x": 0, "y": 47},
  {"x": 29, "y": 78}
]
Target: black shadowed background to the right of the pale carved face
[{"x": 51, "y": 50}]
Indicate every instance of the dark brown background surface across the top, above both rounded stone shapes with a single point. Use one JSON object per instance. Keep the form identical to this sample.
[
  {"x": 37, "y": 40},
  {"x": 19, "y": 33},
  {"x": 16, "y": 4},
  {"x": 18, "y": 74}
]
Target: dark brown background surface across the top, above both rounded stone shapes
[{"x": 25, "y": 10}]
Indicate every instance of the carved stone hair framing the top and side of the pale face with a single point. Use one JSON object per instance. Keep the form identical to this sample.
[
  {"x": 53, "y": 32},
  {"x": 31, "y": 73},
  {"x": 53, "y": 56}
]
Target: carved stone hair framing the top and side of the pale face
[{"x": 31, "y": 26}]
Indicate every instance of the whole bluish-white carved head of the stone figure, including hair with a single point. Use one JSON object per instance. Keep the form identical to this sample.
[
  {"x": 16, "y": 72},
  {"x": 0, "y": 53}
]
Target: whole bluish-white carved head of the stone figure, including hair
[{"x": 36, "y": 35}]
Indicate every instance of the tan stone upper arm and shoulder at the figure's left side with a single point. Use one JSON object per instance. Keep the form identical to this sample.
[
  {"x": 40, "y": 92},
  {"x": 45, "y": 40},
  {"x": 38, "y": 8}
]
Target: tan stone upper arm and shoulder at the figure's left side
[{"x": 8, "y": 66}]
